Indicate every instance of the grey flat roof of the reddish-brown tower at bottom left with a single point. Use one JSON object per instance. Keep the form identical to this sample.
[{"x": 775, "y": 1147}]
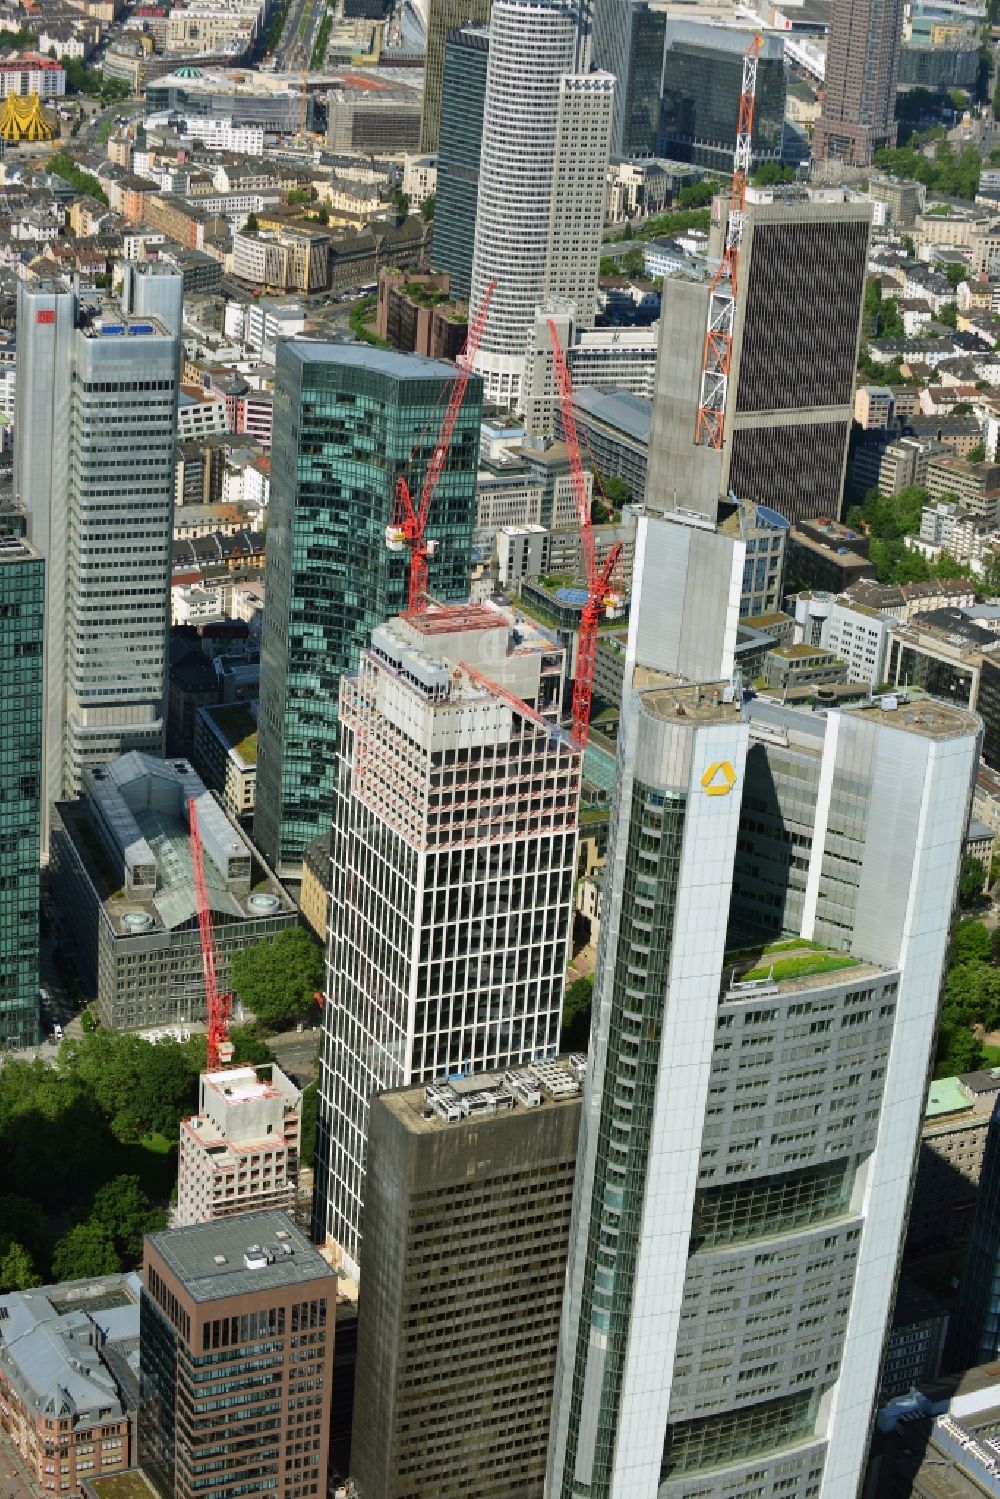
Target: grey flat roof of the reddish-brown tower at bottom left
[{"x": 209, "y": 1258}]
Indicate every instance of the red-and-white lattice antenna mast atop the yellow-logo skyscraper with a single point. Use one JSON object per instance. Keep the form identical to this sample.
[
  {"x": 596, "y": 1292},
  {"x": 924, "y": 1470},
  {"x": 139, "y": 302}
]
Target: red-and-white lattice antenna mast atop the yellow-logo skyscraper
[{"x": 722, "y": 305}]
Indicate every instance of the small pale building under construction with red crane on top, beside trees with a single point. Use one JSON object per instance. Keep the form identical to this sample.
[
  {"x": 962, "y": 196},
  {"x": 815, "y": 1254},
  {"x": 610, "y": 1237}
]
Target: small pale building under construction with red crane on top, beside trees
[{"x": 241, "y": 1150}]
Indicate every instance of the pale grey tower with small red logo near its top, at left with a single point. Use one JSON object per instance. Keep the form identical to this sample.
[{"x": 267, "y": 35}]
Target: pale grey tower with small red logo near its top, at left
[{"x": 97, "y": 422}]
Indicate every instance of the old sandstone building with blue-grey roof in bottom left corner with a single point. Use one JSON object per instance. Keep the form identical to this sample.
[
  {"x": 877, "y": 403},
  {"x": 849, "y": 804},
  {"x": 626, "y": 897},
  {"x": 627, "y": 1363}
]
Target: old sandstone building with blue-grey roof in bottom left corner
[{"x": 70, "y": 1380}]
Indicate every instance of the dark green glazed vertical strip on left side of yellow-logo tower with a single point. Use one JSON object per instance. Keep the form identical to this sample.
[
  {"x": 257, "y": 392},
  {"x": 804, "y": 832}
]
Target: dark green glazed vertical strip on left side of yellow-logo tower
[{"x": 656, "y": 833}]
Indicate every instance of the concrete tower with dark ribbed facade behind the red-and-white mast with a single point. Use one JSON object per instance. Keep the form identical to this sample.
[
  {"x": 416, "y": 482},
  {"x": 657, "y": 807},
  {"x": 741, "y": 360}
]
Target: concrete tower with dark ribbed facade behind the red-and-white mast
[{"x": 791, "y": 389}]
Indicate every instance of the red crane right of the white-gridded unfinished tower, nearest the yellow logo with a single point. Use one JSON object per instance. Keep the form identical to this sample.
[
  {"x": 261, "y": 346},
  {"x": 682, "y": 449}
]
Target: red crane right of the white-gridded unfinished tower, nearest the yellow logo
[{"x": 600, "y": 596}]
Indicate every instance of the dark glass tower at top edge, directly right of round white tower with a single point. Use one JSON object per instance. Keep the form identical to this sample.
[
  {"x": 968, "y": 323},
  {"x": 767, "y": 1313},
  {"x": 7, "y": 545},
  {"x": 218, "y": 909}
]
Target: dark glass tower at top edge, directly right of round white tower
[{"x": 627, "y": 41}]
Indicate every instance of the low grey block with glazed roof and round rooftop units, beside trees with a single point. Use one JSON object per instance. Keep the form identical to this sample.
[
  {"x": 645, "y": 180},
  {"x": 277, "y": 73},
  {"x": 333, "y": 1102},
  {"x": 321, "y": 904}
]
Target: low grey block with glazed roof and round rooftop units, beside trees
[{"x": 122, "y": 873}]
